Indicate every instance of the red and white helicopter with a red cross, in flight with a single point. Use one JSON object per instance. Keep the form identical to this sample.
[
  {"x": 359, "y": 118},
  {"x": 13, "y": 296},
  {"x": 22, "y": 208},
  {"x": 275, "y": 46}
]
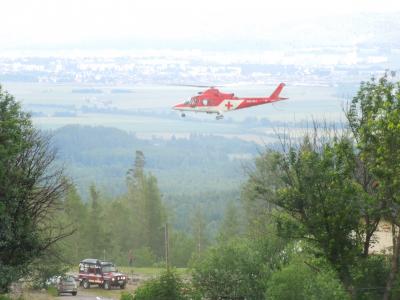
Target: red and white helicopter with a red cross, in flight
[{"x": 213, "y": 101}]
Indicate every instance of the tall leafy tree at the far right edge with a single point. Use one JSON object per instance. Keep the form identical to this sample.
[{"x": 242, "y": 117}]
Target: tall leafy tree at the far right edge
[{"x": 374, "y": 117}]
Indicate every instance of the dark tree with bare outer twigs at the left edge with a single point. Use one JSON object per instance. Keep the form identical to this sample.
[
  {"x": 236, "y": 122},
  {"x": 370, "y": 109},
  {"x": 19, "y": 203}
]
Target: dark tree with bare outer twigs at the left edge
[{"x": 30, "y": 191}]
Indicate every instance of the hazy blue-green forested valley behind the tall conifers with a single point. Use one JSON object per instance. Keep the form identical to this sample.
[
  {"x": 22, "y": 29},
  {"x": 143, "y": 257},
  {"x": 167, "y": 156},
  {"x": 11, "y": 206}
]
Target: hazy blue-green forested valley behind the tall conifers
[{"x": 200, "y": 171}]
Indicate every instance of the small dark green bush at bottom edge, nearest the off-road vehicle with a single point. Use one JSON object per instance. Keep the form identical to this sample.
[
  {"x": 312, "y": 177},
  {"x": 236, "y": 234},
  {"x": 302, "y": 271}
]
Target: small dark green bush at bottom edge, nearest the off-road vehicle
[{"x": 168, "y": 286}]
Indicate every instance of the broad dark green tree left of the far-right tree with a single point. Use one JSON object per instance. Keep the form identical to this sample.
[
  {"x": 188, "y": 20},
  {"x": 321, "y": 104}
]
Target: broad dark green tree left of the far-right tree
[{"x": 319, "y": 199}]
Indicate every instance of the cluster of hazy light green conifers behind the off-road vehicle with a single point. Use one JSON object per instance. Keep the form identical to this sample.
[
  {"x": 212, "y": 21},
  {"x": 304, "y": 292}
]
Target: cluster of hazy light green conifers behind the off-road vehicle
[{"x": 119, "y": 228}]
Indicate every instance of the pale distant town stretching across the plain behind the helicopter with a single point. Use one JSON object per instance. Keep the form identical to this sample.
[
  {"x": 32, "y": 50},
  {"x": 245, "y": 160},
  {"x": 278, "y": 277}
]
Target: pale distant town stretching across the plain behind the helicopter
[{"x": 324, "y": 66}]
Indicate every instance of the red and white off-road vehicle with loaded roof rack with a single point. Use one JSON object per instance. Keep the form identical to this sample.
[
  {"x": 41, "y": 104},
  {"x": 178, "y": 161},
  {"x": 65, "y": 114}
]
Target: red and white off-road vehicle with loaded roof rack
[{"x": 102, "y": 273}]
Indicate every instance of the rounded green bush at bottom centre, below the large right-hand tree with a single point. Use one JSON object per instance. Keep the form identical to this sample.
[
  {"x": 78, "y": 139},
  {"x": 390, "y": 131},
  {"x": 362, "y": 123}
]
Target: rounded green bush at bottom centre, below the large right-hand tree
[{"x": 231, "y": 270}]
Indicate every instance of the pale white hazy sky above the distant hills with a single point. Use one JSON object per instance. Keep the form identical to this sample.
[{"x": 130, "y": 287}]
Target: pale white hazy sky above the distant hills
[{"x": 58, "y": 23}]
